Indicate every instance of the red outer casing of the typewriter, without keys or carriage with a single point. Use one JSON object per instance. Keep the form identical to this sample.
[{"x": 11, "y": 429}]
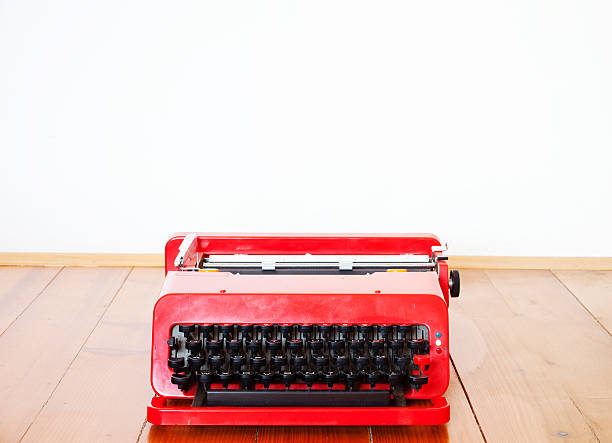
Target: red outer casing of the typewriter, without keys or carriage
[{"x": 377, "y": 298}]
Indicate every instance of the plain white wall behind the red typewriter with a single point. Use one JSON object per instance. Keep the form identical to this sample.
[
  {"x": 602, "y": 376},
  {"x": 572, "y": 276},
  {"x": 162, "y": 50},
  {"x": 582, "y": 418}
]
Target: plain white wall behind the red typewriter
[{"x": 486, "y": 122}]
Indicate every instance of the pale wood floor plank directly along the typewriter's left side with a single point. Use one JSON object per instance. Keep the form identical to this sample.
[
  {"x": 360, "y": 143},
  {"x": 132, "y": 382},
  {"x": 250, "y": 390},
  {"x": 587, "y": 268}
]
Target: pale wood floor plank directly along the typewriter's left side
[{"x": 112, "y": 368}]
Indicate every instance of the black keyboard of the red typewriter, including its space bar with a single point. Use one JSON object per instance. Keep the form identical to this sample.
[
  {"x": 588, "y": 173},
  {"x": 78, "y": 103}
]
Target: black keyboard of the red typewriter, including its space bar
[{"x": 302, "y": 358}]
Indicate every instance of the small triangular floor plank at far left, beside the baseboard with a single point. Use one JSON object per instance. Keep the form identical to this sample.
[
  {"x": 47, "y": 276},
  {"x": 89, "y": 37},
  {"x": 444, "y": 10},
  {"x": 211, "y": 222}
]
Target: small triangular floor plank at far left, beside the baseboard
[{"x": 19, "y": 286}]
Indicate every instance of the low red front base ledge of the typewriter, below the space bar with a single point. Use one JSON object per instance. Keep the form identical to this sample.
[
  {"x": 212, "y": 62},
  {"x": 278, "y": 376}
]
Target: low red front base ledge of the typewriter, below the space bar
[{"x": 159, "y": 413}]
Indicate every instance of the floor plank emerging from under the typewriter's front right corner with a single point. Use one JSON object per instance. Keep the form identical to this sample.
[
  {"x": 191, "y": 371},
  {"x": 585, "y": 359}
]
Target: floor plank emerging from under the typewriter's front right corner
[{"x": 461, "y": 428}]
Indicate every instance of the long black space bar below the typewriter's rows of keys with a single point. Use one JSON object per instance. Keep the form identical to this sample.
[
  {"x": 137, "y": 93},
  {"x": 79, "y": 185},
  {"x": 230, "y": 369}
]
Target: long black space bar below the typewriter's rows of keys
[{"x": 297, "y": 398}]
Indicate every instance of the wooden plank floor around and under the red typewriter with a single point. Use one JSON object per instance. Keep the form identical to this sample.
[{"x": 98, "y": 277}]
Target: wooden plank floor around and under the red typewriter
[{"x": 531, "y": 355}]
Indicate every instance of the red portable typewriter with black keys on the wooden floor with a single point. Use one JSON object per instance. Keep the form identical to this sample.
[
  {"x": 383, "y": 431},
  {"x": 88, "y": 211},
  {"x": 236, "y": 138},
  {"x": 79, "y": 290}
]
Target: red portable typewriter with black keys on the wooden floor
[{"x": 306, "y": 329}]
